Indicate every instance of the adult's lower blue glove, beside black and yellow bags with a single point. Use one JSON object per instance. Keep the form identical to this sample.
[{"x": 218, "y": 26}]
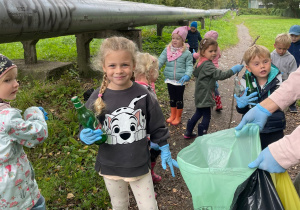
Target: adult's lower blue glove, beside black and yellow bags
[{"x": 266, "y": 161}]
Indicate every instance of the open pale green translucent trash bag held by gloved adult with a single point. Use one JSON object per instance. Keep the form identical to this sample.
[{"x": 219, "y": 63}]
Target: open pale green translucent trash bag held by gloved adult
[{"x": 214, "y": 165}]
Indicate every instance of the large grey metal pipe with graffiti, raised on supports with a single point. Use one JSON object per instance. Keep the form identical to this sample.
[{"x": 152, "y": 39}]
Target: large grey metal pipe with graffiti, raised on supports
[{"x": 22, "y": 20}]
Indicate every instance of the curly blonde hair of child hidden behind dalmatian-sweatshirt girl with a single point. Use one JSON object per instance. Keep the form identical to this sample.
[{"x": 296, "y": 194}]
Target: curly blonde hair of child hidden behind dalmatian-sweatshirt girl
[{"x": 147, "y": 65}]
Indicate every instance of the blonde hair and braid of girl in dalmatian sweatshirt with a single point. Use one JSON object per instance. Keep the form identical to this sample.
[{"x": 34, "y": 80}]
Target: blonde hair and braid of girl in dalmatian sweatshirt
[{"x": 108, "y": 45}]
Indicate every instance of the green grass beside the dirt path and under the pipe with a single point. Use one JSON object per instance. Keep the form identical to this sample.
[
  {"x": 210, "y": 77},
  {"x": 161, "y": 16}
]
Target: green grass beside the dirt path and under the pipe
[{"x": 62, "y": 164}]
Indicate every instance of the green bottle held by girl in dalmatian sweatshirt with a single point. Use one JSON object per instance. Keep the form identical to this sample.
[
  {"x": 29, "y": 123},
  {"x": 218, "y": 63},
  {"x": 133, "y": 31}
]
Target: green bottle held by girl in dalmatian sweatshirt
[{"x": 87, "y": 118}]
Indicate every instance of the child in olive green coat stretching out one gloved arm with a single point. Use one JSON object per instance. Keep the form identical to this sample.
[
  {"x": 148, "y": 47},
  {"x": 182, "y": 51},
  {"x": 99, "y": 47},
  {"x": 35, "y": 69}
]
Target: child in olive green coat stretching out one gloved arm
[{"x": 206, "y": 75}]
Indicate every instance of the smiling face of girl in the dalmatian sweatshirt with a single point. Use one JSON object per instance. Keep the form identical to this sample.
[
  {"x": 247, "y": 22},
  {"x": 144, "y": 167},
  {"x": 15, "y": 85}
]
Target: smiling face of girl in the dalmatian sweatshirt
[{"x": 119, "y": 66}]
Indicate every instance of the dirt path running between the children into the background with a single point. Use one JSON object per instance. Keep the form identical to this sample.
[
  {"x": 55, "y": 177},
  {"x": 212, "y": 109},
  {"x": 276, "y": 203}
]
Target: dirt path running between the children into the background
[{"x": 173, "y": 192}]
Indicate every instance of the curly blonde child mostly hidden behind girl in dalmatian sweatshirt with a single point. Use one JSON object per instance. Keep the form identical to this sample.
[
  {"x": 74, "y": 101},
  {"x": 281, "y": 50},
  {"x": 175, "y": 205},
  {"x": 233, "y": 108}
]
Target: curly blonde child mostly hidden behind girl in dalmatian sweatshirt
[{"x": 146, "y": 73}]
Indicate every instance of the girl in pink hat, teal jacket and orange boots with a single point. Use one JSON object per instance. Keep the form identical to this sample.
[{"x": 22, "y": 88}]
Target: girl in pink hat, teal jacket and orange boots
[{"x": 178, "y": 70}]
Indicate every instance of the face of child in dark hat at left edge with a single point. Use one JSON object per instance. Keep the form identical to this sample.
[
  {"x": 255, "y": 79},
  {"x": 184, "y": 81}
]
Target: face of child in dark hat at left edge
[{"x": 9, "y": 85}]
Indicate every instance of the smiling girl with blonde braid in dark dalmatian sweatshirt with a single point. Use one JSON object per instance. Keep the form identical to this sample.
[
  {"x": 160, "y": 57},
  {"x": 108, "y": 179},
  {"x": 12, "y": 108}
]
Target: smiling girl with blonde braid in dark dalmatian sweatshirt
[{"x": 128, "y": 112}]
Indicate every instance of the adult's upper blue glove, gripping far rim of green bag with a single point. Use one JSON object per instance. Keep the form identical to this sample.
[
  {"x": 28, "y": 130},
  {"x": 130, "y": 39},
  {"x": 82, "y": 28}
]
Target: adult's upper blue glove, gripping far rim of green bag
[{"x": 257, "y": 115}]
